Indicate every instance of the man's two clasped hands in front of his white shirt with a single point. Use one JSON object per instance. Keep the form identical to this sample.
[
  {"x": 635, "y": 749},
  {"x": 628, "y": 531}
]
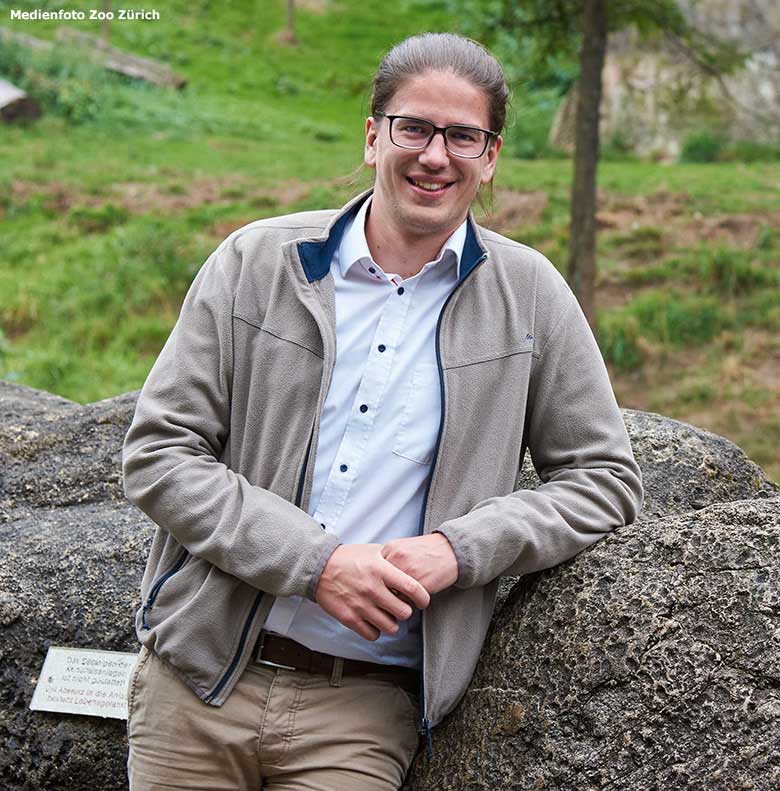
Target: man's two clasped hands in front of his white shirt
[{"x": 370, "y": 588}]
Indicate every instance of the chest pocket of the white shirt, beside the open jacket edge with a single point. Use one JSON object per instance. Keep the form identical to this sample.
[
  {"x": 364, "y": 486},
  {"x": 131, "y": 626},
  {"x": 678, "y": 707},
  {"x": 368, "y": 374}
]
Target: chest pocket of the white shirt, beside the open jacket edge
[{"x": 419, "y": 424}]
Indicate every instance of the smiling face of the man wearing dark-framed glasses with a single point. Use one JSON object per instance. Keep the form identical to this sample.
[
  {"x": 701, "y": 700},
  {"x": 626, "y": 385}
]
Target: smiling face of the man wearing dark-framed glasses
[{"x": 411, "y": 210}]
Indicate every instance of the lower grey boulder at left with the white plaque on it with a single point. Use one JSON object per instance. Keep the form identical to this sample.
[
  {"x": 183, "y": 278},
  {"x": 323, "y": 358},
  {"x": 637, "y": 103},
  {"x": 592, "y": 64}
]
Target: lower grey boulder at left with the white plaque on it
[{"x": 69, "y": 576}]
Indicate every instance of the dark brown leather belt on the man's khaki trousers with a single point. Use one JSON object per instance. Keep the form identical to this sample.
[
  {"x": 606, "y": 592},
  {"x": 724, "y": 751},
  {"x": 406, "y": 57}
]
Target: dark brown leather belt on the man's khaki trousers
[{"x": 273, "y": 650}]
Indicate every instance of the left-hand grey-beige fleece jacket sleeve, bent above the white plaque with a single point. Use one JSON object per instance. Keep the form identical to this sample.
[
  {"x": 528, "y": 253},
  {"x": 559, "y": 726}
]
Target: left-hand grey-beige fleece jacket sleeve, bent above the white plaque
[{"x": 171, "y": 453}]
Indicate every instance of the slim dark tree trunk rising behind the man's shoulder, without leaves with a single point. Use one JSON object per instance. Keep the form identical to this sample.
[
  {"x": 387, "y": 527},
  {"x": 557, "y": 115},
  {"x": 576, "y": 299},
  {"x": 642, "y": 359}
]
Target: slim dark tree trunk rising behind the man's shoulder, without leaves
[{"x": 582, "y": 241}]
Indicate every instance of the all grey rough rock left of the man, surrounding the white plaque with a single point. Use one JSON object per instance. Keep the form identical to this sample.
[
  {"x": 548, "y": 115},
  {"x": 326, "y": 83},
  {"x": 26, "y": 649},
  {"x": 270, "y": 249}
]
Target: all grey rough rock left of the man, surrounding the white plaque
[{"x": 71, "y": 555}]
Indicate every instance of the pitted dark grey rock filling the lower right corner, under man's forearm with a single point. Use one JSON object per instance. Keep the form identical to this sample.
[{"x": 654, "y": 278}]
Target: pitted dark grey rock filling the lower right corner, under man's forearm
[{"x": 650, "y": 662}]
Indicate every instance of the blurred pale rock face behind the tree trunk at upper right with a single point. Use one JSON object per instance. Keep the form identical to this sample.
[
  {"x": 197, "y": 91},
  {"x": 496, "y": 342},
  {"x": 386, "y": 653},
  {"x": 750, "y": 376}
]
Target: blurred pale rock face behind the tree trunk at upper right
[{"x": 656, "y": 92}]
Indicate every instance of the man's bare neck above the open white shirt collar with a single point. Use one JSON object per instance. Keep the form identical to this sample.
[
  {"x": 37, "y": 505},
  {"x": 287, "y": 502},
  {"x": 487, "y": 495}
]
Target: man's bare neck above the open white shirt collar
[{"x": 403, "y": 253}]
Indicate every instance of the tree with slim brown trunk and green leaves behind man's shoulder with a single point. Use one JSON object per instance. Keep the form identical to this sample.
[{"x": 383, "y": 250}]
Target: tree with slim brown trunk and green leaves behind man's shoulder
[{"x": 543, "y": 31}]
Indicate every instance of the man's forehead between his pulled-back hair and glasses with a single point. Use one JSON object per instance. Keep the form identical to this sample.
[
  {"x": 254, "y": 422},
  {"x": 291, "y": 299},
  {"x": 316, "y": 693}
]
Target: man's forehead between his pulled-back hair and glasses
[{"x": 442, "y": 97}]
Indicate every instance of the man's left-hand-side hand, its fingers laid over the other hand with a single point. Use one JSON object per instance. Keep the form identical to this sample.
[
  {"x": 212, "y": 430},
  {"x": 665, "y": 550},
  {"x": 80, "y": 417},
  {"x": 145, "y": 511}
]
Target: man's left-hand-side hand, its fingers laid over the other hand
[{"x": 363, "y": 591}]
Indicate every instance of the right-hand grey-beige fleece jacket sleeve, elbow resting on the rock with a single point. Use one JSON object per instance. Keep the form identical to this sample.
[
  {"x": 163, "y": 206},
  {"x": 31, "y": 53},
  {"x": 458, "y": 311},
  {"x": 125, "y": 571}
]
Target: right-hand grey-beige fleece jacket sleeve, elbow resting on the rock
[{"x": 591, "y": 483}]
